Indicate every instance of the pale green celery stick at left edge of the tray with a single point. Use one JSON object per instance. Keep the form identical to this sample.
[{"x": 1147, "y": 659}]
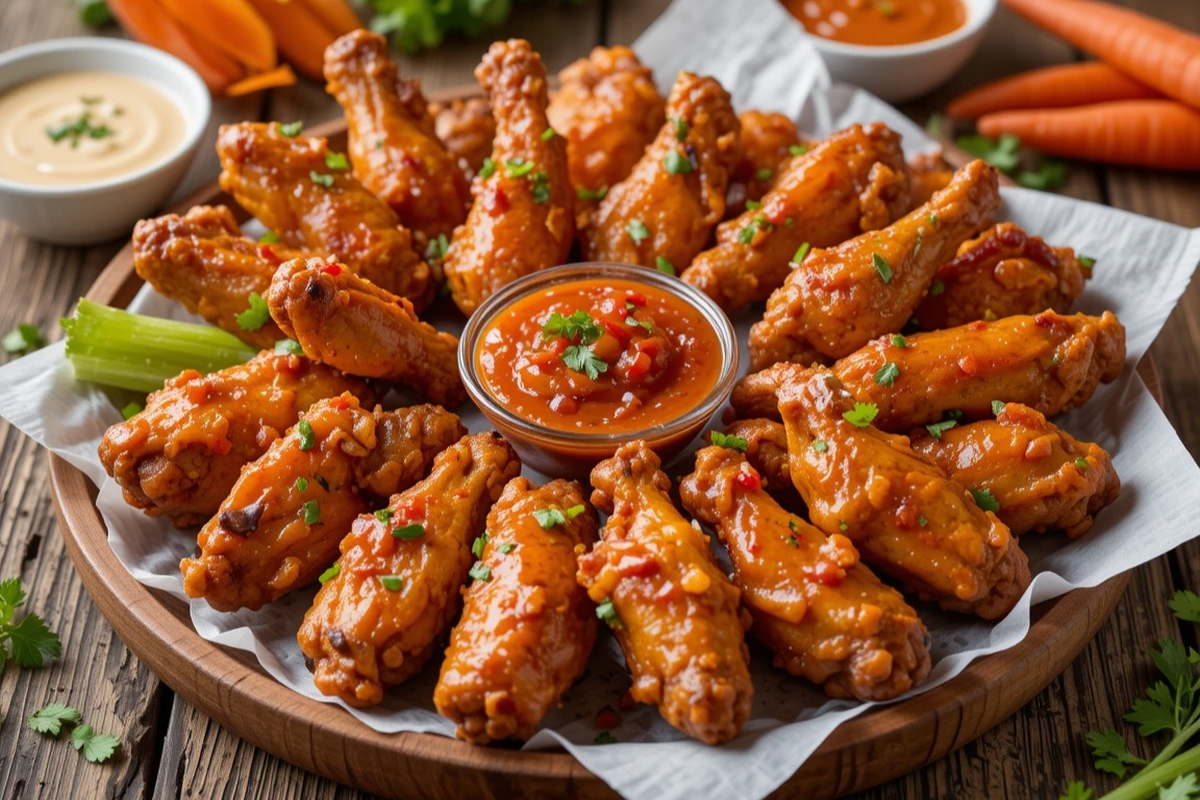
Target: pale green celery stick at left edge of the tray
[{"x": 116, "y": 348}]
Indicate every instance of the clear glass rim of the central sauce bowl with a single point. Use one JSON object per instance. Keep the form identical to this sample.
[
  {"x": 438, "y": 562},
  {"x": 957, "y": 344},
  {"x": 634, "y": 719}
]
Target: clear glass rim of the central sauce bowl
[{"x": 499, "y": 303}]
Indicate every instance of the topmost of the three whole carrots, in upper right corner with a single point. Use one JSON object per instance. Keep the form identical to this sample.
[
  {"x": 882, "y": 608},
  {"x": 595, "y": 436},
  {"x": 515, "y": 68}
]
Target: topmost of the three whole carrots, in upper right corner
[{"x": 1149, "y": 50}]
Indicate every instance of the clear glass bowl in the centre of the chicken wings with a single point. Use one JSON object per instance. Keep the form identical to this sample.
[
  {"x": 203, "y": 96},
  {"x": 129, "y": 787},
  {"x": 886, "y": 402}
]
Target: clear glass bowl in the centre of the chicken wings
[{"x": 573, "y": 454}]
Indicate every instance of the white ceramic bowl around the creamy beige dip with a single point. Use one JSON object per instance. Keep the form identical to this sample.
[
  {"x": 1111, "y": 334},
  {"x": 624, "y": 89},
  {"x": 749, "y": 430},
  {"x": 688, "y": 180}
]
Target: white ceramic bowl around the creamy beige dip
[{"x": 85, "y": 215}]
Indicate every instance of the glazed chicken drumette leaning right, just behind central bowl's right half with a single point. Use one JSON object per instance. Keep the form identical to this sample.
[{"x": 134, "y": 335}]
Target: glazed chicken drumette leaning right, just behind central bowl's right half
[{"x": 663, "y": 214}]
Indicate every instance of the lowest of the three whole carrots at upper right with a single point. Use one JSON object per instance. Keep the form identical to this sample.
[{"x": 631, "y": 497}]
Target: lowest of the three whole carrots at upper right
[{"x": 1160, "y": 134}]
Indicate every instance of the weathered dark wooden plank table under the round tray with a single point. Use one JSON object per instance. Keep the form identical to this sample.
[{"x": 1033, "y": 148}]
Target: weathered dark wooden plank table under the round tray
[{"x": 170, "y": 750}]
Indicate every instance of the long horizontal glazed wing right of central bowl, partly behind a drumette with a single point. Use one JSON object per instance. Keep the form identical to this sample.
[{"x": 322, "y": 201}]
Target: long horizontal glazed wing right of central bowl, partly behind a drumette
[{"x": 1052, "y": 363}]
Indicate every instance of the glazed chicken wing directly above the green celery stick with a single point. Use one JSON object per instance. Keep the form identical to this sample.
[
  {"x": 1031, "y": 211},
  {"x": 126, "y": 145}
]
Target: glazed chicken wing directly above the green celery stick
[{"x": 202, "y": 261}]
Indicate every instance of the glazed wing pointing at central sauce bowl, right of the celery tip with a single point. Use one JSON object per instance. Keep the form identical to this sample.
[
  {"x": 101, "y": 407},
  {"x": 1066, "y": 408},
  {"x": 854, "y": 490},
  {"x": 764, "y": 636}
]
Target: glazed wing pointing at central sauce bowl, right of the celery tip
[{"x": 349, "y": 323}]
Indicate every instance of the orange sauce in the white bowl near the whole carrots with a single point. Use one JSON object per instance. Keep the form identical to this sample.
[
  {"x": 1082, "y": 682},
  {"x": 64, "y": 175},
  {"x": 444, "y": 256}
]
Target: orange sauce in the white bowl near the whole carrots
[{"x": 879, "y": 22}]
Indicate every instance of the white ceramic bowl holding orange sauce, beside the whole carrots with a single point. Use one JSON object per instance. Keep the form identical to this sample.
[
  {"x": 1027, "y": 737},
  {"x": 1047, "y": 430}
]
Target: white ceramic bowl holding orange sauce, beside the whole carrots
[{"x": 901, "y": 73}]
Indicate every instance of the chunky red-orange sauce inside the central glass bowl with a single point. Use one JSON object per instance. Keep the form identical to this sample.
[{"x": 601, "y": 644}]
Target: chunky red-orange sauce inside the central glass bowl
[{"x": 653, "y": 358}]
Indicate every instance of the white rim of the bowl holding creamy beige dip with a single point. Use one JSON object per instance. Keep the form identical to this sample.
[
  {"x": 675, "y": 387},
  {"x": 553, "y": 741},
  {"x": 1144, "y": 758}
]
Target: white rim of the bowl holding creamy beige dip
[{"x": 157, "y": 61}]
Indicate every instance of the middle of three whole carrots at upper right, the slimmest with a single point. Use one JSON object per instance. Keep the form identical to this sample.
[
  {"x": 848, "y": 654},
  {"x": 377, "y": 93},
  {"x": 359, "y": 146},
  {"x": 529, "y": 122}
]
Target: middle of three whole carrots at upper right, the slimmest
[{"x": 1058, "y": 87}]
